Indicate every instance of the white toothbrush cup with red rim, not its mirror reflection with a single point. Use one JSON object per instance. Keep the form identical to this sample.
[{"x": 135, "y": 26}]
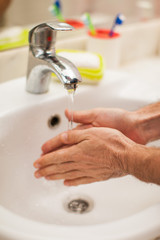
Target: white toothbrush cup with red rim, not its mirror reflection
[{"x": 108, "y": 47}]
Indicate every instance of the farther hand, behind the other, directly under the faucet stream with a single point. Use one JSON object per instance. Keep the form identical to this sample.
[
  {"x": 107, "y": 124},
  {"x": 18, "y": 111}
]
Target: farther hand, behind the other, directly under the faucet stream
[{"x": 122, "y": 120}]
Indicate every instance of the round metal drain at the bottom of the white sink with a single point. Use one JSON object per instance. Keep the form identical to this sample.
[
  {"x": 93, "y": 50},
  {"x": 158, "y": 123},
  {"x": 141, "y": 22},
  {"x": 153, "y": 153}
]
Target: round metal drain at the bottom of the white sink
[{"x": 79, "y": 205}]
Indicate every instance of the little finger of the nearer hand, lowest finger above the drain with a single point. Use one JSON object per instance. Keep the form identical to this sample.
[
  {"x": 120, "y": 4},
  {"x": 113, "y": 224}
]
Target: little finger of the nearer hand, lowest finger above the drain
[{"x": 79, "y": 181}]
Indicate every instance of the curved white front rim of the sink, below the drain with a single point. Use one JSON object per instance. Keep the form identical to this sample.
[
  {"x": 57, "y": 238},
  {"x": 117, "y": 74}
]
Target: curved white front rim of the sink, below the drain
[{"x": 38, "y": 229}]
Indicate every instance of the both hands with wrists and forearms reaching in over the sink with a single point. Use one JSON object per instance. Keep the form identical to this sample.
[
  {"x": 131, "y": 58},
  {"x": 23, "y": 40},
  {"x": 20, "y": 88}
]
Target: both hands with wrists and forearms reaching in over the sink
[{"x": 101, "y": 147}]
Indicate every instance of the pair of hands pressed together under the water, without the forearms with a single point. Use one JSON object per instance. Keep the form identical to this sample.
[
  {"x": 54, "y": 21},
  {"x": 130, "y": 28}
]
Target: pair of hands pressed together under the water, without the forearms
[{"x": 97, "y": 149}]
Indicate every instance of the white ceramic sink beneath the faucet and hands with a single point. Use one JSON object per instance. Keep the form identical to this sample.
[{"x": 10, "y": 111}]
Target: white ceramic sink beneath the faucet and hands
[{"x": 31, "y": 209}]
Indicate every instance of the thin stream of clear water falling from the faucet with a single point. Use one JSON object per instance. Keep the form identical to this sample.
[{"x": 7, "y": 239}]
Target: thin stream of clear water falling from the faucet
[{"x": 71, "y": 94}]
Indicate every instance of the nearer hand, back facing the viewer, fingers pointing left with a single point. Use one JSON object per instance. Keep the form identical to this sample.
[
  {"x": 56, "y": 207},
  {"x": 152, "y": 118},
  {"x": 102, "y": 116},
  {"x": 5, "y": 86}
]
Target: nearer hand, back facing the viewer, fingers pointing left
[{"x": 85, "y": 156}]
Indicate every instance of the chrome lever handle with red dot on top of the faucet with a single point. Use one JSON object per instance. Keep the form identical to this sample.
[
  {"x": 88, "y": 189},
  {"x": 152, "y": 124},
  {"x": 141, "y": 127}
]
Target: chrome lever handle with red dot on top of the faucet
[{"x": 44, "y": 35}]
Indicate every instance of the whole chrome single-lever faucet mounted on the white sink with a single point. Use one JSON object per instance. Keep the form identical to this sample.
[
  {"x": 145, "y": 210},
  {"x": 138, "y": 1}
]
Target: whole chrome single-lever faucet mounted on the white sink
[{"x": 43, "y": 59}]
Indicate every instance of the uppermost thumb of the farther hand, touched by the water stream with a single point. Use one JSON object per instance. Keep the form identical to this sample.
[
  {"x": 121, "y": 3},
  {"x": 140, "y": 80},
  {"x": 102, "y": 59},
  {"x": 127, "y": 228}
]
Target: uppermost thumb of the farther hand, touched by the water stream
[{"x": 86, "y": 117}]
